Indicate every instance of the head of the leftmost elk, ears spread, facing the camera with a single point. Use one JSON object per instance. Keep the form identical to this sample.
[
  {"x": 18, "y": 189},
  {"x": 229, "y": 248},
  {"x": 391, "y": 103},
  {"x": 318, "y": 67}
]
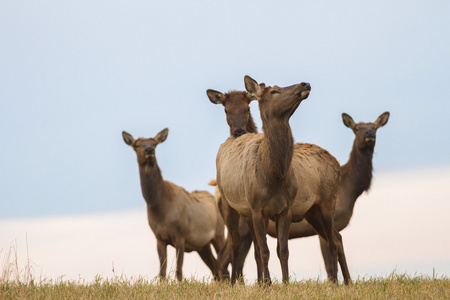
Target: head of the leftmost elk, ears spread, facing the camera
[{"x": 145, "y": 148}]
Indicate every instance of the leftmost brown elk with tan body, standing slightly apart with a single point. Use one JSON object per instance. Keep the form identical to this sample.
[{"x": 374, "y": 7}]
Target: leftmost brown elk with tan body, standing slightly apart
[{"x": 186, "y": 221}]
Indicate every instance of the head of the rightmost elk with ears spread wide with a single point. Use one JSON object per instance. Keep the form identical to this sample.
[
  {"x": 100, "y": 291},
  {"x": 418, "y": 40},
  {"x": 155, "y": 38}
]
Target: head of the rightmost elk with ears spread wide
[{"x": 365, "y": 132}]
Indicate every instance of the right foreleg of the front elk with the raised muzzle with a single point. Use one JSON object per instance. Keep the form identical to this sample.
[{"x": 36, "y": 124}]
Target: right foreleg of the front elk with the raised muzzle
[{"x": 282, "y": 224}]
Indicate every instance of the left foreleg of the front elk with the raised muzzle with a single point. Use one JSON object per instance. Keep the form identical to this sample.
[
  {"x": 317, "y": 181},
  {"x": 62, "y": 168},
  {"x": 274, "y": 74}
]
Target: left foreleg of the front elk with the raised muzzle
[{"x": 261, "y": 239}]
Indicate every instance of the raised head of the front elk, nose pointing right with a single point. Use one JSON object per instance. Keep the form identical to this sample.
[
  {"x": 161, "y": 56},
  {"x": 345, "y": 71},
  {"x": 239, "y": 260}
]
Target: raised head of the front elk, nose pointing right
[{"x": 279, "y": 102}]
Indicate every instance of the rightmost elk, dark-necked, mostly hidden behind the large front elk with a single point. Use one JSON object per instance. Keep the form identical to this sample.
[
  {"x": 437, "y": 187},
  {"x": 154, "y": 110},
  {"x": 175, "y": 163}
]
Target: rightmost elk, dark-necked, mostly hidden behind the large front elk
[{"x": 356, "y": 179}]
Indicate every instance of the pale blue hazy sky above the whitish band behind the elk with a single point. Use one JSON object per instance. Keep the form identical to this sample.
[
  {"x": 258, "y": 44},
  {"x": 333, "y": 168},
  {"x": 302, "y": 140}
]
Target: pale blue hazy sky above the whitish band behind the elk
[{"x": 73, "y": 75}]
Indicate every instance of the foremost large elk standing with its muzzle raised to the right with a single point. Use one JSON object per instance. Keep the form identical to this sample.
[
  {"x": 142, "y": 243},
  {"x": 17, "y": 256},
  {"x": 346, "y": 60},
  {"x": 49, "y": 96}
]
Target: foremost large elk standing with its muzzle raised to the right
[{"x": 314, "y": 174}]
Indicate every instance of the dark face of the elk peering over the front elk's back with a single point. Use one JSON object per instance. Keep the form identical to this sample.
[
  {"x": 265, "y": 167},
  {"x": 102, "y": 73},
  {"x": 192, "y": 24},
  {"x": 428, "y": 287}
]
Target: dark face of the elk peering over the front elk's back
[{"x": 237, "y": 109}]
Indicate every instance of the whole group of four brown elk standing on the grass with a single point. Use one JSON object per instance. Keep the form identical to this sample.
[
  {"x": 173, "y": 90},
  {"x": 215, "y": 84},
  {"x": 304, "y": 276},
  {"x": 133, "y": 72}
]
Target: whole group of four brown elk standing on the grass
[{"x": 265, "y": 184}]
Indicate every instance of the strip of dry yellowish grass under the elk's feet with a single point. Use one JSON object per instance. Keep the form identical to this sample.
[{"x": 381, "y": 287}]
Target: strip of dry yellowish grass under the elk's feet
[{"x": 394, "y": 287}]
